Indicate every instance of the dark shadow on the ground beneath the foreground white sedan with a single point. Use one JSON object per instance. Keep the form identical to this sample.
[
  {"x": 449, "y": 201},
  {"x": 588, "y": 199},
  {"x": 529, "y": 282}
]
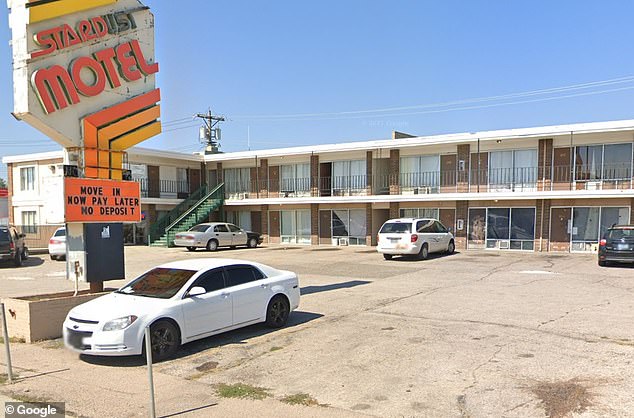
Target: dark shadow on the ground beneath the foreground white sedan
[{"x": 239, "y": 337}]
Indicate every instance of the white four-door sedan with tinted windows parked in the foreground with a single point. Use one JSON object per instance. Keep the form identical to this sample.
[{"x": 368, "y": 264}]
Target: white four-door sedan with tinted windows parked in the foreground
[{"x": 182, "y": 301}]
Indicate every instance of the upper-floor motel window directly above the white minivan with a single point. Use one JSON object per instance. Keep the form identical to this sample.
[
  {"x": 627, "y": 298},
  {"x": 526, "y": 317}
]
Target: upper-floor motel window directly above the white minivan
[{"x": 420, "y": 174}]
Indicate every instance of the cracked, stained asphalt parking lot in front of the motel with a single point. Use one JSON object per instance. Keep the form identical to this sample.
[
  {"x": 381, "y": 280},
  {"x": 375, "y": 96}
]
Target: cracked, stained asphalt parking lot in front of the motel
[{"x": 474, "y": 334}]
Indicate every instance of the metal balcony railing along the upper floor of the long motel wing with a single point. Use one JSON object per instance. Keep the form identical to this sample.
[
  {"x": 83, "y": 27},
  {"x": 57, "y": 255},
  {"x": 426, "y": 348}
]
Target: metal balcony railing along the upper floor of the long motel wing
[{"x": 486, "y": 180}]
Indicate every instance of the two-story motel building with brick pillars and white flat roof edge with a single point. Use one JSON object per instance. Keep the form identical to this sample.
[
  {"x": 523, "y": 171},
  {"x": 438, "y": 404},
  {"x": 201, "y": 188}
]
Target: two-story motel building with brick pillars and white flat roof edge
[{"x": 553, "y": 188}]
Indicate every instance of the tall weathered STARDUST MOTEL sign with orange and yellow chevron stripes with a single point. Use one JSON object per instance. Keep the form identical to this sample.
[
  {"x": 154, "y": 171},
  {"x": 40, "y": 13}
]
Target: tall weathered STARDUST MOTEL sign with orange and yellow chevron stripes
[{"x": 84, "y": 74}]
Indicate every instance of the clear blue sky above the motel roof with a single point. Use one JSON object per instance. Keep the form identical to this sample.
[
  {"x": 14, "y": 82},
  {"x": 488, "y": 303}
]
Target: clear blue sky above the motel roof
[{"x": 288, "y": 72}]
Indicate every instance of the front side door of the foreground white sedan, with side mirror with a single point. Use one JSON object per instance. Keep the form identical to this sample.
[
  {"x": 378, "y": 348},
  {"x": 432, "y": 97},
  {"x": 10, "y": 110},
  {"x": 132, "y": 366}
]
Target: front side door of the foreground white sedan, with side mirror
[{"x": 210, "y": 312}]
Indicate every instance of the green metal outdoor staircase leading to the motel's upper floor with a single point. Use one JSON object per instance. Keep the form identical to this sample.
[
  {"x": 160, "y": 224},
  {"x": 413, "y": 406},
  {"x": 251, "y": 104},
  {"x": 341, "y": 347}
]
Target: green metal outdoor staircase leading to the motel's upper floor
[{"x": 193, "y": 210}]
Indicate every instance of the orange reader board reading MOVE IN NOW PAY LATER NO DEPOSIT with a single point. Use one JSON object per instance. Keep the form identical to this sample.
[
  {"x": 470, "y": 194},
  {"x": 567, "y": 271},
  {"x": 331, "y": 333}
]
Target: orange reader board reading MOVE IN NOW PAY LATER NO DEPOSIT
[{"x": 95, "y": 200}]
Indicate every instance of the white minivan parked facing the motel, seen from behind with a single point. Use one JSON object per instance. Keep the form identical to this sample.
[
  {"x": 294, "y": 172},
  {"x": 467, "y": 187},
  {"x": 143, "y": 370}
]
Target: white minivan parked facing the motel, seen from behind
[{"x": 414, "y": 236}]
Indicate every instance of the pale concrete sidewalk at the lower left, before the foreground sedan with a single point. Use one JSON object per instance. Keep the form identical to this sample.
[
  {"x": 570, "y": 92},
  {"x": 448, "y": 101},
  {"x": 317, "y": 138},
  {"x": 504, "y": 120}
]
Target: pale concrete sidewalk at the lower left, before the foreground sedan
[{"x": 118, "y": 387}]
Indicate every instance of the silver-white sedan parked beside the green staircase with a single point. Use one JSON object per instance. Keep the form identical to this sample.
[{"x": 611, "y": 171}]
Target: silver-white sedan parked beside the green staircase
[{"x": 216, "y": 234}]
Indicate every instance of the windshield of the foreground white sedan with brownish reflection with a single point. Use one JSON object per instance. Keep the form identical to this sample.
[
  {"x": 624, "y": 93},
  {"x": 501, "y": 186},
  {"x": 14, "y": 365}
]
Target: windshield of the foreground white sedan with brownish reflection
[{"x": 162, "y": 283}]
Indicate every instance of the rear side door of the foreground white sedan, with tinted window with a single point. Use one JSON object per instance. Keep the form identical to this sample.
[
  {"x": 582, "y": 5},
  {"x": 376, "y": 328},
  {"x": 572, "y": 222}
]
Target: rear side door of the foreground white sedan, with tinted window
[{"x": 250, "y": 293}]
